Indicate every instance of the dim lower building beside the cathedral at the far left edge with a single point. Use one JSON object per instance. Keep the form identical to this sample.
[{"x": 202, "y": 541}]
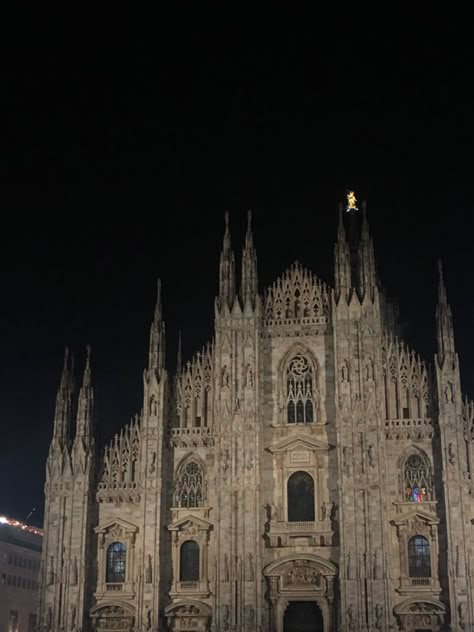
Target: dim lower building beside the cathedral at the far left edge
[{"x": 20, "y": 557}]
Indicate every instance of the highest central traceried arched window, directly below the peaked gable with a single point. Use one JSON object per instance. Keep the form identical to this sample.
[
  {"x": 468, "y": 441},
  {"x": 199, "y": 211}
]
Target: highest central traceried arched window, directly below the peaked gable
[{"x": 299, "y": 388}]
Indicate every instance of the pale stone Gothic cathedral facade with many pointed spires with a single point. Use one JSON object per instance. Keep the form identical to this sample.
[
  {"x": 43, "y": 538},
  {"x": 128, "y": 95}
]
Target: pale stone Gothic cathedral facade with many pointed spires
[{"x": 305, "y": 471}]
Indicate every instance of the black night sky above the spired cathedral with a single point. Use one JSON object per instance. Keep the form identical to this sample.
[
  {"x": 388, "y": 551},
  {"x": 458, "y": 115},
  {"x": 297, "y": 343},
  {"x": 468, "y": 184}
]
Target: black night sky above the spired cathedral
[{"x": 126, "y": 137}]
